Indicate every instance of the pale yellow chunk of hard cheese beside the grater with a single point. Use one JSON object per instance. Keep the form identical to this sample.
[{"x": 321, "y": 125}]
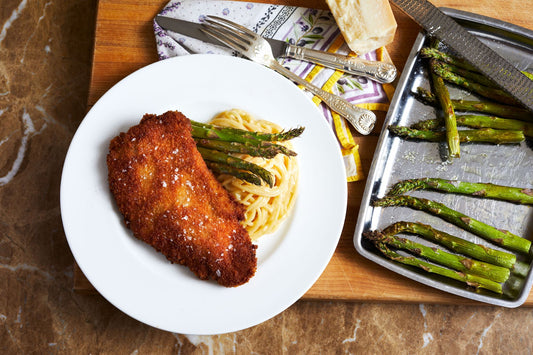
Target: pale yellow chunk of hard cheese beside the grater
[{"x": 365, "y": 24}]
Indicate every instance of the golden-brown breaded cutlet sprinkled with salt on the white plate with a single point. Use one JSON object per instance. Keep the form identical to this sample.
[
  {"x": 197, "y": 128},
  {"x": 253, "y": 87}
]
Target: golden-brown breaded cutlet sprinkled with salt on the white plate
[{"x": 172, "y": 201}]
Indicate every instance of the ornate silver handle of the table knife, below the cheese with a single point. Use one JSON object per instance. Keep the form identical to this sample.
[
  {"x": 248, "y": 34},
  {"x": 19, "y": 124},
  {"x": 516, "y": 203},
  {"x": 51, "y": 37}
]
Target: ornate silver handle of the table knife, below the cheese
[{"x": 377, "y": 71}]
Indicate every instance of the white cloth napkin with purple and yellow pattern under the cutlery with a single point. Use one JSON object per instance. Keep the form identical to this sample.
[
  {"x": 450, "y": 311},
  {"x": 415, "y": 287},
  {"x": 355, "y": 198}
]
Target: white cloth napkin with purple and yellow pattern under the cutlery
[{"x": 302, "y": 26}]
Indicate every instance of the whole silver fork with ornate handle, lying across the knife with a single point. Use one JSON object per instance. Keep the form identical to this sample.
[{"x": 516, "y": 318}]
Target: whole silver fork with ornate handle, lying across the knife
[{"x": 257, "y": 49}]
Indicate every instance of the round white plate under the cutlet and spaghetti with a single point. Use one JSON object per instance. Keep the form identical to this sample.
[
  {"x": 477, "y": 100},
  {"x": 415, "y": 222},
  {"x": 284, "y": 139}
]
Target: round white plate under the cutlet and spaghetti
[{"x": 141, "y": 282}]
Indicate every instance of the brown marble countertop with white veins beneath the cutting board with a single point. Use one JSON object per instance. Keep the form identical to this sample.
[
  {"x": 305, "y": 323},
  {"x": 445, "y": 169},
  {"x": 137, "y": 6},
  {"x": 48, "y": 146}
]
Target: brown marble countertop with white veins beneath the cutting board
[{"x": 46, "y": 50}]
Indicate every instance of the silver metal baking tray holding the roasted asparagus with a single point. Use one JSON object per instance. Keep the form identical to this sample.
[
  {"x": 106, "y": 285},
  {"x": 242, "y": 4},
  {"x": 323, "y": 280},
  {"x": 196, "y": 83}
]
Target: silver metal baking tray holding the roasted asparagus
[{"x": 396, "y": 159}]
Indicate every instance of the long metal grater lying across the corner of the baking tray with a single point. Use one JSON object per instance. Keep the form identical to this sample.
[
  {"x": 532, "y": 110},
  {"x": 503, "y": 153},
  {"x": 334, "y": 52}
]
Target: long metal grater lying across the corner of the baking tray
[{"x": 488, "y": 62}]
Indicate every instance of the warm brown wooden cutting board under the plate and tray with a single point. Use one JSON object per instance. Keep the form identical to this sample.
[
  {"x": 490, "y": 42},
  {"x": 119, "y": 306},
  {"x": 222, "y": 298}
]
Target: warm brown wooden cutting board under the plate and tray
[{"x": 124, "y": 42}]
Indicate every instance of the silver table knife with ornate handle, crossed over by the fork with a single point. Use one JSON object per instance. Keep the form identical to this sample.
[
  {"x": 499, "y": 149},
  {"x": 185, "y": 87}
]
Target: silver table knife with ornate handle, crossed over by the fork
[{"x": 374, "y": 70}]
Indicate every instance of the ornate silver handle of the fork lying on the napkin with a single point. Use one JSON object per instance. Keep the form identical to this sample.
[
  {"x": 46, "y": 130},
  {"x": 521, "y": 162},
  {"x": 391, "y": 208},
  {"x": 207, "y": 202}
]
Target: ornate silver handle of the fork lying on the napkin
[{"x": 361, "y": 119}]
